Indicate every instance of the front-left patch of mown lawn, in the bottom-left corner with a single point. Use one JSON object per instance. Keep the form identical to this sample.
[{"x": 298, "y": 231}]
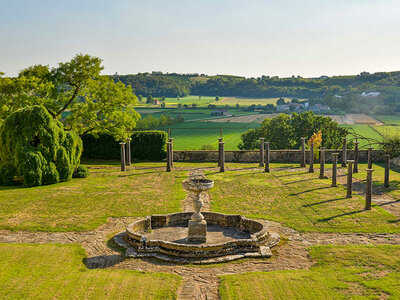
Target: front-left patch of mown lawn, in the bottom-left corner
[{"x": 32, "y": 271}]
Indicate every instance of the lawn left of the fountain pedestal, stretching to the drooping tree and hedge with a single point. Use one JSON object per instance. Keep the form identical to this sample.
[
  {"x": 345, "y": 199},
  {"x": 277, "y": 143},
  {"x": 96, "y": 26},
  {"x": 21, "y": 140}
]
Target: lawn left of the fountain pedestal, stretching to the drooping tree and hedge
[{"x": 84, "y": 204}]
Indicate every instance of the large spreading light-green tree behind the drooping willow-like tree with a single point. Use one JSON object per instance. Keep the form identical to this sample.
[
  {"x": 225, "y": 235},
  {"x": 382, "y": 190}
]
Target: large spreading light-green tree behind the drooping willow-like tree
[{"x": 75, "y": 93}]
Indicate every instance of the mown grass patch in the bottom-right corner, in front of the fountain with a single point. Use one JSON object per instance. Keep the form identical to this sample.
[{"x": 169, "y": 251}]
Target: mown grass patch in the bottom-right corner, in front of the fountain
[{"x": 341, "y": 272}]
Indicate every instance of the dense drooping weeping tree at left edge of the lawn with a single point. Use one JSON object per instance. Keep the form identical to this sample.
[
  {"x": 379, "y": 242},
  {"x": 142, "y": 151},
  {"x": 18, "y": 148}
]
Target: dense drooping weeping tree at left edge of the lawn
[{"x": 35, "y": 148}]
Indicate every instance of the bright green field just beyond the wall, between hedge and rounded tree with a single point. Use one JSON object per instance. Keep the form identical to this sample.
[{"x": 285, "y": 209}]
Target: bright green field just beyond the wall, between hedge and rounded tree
[{"x": 193, "y": 135}]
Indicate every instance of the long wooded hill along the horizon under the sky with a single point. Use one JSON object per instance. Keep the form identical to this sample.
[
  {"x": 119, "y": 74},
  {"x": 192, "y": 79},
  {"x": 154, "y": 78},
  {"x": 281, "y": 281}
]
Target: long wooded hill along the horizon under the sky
[{"x": 172, "y": 85}]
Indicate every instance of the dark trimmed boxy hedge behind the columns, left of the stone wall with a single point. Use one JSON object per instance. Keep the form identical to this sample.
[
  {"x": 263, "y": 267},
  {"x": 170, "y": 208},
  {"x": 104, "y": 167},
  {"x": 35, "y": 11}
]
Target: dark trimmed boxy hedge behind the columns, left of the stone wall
[{"x": 145, "y": 145}]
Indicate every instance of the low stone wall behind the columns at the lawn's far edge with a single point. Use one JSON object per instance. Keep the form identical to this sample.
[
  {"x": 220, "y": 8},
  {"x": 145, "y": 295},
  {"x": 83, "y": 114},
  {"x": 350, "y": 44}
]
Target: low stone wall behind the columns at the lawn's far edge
[{"x": 288, "y": 156}]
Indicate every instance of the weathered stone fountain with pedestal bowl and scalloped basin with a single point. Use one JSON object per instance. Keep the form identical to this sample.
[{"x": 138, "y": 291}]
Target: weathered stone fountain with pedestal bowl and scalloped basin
[{"x": 195, "y": 237}]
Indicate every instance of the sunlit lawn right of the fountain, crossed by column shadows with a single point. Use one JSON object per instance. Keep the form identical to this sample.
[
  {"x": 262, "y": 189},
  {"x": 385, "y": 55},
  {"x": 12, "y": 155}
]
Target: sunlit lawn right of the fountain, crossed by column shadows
[{"x": 296, "y": 199}]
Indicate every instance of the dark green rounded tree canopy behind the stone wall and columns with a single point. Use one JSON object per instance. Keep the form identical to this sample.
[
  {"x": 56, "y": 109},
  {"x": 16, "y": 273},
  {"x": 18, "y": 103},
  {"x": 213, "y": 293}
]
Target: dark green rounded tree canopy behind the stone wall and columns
[{"x": 286, "y": 131}]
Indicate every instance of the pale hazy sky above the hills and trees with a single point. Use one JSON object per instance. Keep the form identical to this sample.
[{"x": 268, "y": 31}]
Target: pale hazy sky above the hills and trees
[{"x": 251, "y": 38}]
